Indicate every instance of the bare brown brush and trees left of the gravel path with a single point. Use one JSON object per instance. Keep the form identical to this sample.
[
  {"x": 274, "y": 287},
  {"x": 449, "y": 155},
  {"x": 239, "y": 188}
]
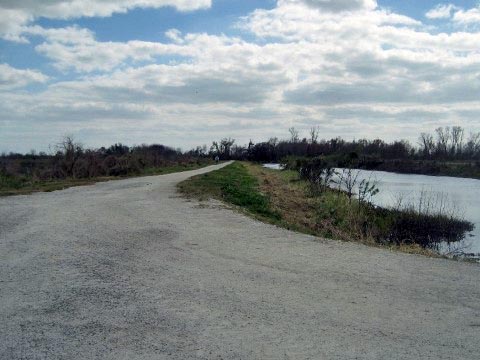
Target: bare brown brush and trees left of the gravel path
[{"x": 71, "y": 160}]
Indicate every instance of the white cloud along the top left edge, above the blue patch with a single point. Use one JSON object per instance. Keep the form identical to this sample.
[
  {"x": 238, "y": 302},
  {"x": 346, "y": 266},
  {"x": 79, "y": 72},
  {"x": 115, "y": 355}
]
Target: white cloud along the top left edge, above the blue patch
[{"x": 16, "y": 14}]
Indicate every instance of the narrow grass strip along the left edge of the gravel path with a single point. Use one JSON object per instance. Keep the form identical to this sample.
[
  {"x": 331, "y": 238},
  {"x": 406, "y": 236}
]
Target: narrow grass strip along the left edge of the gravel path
[{"x": 19, "y": 185}]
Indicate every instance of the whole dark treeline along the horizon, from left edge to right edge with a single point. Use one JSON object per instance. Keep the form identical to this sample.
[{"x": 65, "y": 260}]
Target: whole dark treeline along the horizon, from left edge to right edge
[{"x": 69, "y": 159}]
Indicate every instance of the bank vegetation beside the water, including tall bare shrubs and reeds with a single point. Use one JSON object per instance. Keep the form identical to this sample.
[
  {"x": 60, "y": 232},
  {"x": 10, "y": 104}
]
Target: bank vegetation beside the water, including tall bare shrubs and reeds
[{"x": 305, "y": 200}]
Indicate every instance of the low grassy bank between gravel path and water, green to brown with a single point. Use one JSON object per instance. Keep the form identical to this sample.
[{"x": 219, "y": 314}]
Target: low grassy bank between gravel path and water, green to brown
[{"x": 282, "y": 198}]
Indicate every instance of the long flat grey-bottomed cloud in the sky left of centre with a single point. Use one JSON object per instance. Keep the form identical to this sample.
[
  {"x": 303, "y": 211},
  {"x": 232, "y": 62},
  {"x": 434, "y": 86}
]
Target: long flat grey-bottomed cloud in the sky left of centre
[{"x": 184, "y": 84}]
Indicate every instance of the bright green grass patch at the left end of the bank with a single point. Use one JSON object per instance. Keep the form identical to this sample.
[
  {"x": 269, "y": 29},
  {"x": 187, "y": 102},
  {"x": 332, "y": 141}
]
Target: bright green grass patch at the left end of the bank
[{"x": 233, "y": 184}]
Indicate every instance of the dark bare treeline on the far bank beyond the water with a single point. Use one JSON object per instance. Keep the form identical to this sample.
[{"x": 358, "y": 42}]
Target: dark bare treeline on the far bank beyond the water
[{"x": 449, "y": 151}]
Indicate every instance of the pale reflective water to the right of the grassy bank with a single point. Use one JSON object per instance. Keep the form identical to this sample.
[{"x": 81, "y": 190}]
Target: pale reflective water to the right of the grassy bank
[{"x": 460, "y": 195}]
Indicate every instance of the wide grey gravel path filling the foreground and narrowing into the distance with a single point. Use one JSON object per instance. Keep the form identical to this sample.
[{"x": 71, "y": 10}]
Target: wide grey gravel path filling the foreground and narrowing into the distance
[{"x": 129, "y": 270}]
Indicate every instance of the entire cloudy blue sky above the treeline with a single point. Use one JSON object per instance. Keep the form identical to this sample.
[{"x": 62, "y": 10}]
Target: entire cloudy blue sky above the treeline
[{"x": 186, "y": 72}]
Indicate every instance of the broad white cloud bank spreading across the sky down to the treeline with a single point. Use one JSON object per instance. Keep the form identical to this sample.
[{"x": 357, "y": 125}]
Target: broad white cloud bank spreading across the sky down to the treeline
[{"x": 353, "y": 68}]
